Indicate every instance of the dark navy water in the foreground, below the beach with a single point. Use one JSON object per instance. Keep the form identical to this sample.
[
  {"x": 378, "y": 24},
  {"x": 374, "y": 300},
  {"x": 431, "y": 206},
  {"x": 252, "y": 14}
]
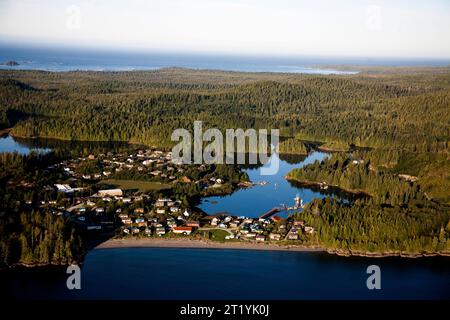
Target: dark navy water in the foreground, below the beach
[{"x": 169, "y": 273}]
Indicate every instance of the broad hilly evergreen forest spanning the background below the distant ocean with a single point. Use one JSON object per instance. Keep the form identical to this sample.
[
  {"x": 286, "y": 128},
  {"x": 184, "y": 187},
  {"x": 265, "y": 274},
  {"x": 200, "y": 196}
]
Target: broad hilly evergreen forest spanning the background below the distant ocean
[{"x": 403, "y": 110}]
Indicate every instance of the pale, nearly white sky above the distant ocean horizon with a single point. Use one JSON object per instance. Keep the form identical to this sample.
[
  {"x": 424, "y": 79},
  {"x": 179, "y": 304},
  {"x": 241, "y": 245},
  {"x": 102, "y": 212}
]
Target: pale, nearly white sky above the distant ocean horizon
[{"x": 410, "y": 29}]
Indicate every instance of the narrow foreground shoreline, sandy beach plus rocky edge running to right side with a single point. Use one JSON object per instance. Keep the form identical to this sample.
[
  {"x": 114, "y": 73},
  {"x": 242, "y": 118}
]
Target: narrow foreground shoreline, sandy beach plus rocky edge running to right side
[{"x": 188, "y": 243}]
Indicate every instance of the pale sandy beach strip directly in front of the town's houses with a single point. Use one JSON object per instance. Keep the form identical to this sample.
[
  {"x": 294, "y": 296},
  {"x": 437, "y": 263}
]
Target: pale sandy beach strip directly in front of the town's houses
[{"x": 201, "y": 244}]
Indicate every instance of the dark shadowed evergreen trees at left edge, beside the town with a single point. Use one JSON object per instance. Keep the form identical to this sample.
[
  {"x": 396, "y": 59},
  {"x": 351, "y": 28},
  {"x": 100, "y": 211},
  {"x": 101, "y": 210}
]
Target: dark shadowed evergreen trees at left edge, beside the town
[{"x": 32, "y": 236}]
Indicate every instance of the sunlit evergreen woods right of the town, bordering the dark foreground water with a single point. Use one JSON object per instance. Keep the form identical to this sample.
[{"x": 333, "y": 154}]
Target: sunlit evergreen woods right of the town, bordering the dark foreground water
[{"x": 368, "y": 227}]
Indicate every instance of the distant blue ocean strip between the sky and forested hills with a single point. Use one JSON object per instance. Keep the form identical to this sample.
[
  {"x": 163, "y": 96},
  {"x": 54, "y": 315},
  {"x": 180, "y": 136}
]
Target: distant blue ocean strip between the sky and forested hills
[{"x": 70, "y": 59}]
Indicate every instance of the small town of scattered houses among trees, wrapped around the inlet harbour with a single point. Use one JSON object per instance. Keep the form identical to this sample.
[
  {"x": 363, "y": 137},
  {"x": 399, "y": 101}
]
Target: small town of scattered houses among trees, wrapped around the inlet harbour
[{"x": 136, "y": 207}]
